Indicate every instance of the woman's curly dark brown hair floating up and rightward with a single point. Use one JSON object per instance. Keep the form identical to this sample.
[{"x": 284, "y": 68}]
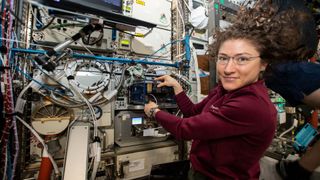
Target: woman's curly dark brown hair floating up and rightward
[{"x": 276, "y": 34}]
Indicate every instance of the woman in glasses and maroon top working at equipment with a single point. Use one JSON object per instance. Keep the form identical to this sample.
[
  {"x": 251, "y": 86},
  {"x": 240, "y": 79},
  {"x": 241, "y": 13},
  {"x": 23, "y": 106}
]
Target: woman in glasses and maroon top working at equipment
[{"x": 234, "y": 125}]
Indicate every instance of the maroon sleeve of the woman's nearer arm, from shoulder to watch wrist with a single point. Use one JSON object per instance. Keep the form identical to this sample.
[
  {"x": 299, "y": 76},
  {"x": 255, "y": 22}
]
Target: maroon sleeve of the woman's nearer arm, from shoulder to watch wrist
[{"x": 239, "y": 115}]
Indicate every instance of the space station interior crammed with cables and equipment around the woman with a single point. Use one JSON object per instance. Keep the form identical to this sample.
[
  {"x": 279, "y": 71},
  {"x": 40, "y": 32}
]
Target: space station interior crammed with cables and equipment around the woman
[{"x": 75, "y": 76}]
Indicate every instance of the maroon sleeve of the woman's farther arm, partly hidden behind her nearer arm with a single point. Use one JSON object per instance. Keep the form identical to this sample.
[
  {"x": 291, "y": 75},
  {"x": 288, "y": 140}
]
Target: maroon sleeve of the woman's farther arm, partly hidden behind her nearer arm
[{"x": 187, "y": 107}]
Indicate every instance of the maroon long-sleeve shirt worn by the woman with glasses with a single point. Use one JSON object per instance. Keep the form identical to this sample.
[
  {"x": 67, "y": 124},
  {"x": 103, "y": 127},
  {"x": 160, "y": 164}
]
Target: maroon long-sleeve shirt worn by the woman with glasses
[{"x": 230, "y": 130}]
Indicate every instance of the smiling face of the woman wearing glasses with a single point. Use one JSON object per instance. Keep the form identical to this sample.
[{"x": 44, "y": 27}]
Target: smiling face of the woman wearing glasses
[{"x": 238, "y": 64}]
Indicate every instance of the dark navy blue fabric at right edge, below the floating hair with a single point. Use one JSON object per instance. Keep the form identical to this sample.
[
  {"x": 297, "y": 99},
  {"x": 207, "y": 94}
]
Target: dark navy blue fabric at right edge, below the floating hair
[{"x": 294, "y": 80}]
